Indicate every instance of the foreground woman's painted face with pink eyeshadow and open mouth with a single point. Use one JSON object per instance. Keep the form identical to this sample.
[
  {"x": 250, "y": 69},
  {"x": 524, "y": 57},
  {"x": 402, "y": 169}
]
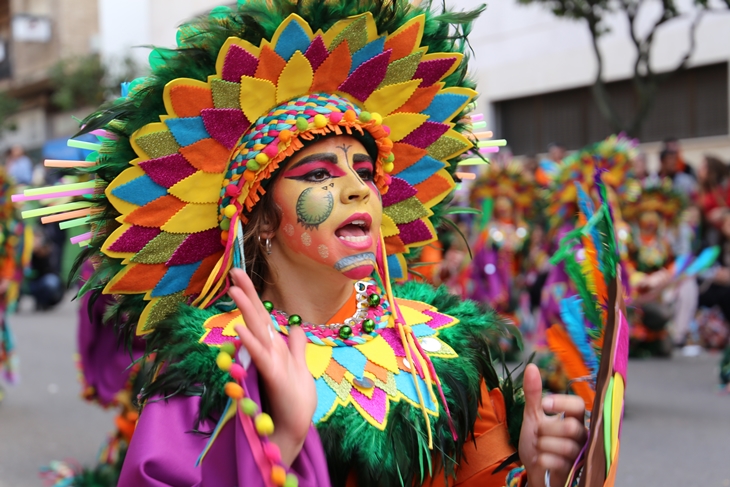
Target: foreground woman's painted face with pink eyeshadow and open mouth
[{"x": 330, "y": 207}]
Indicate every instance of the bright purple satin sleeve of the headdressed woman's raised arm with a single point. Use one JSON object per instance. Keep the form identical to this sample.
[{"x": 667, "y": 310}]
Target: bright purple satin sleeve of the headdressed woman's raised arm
[{"x": 164, "y": 450}]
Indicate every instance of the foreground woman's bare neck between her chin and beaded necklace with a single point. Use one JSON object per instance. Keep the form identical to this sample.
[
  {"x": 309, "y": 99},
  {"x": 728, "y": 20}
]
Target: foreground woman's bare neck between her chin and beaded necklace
[{"x": 314, "y": 296}]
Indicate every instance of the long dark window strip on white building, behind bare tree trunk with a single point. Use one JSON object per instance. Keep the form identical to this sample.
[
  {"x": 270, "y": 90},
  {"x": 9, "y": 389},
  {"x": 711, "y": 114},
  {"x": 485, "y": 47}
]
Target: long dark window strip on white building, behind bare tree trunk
[{"x": 693, "y": 103}]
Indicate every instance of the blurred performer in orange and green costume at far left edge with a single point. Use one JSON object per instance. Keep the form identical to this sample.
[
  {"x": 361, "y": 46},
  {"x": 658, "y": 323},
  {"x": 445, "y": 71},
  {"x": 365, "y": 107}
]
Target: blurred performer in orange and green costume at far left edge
[{"x": 15, "y": 249}]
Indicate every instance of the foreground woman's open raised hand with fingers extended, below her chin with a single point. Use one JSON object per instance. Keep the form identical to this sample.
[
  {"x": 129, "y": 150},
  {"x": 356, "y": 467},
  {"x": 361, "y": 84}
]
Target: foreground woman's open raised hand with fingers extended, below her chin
[{"x": 289, "y": 385}]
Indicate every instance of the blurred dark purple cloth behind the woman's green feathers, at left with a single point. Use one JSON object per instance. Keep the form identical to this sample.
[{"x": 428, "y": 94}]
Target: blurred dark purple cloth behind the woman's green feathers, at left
[{"x": 104, "y": 361}]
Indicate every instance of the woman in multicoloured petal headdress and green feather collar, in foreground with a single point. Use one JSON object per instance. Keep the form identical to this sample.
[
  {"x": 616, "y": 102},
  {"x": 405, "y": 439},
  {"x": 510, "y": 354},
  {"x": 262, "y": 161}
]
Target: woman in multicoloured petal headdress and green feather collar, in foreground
[{"x": 274, "y": 170}]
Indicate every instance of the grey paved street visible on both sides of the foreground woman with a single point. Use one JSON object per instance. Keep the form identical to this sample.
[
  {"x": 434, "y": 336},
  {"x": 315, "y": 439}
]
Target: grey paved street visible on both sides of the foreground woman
[{"x": 677, "y": 429}]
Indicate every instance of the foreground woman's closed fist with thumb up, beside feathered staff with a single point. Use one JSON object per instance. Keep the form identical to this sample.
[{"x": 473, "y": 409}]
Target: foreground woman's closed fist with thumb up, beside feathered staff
[{"x": 550, "y": 442}]
